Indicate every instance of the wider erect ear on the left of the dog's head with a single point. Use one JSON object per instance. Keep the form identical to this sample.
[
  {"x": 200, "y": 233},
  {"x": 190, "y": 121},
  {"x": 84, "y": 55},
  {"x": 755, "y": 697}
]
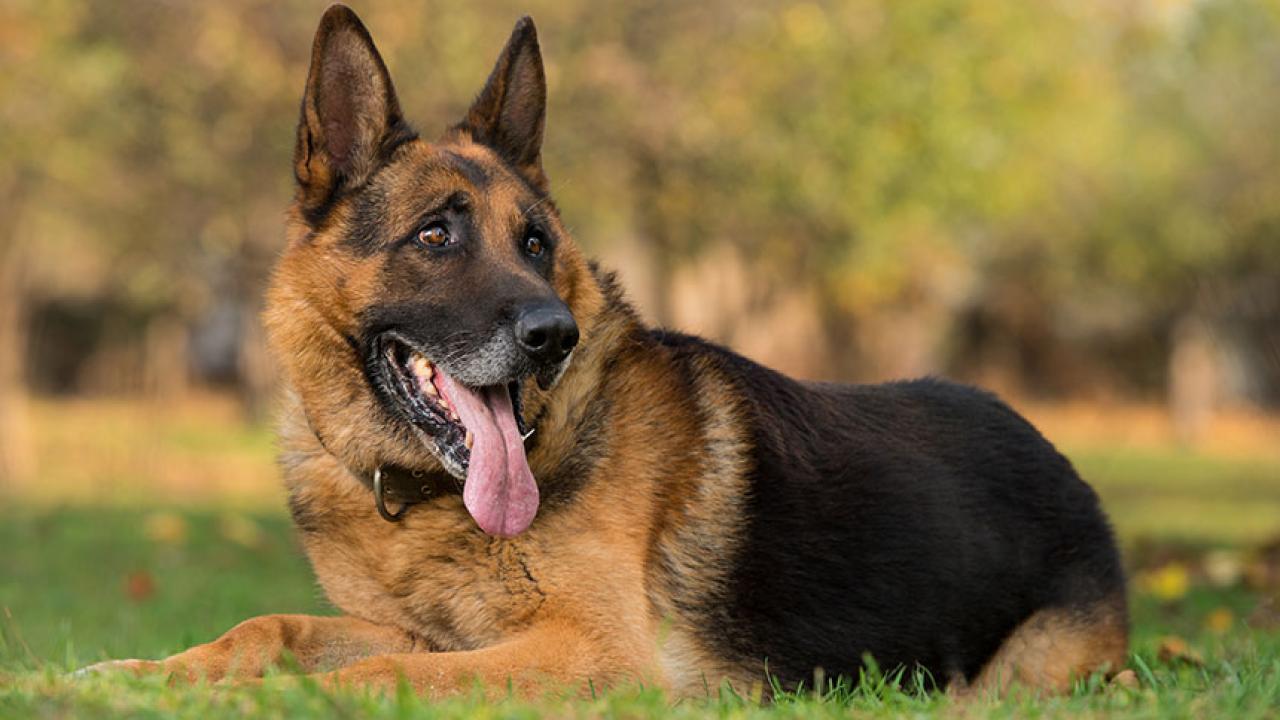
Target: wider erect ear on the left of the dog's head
[{"x": 351, "y": 121}]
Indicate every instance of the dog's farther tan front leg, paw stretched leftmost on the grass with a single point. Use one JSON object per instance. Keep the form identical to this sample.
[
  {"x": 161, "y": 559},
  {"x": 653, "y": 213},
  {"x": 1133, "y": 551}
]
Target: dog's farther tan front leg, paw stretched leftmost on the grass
[{"x": 249, "y": 649}]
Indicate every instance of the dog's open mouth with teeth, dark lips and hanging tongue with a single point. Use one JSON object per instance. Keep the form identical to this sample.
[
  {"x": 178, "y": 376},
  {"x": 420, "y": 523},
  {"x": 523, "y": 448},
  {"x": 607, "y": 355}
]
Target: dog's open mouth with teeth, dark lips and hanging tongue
[{"x": 477, "y": 432}]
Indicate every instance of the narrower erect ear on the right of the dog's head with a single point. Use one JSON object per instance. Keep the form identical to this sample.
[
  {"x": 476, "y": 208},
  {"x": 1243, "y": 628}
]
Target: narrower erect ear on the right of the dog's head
[{"x": 510, "y": 113}]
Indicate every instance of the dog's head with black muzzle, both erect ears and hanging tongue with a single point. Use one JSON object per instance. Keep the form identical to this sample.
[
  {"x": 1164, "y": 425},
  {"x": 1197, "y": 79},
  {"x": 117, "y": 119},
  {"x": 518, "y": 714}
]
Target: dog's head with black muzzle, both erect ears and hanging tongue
[{"x": 429, "y": 299}]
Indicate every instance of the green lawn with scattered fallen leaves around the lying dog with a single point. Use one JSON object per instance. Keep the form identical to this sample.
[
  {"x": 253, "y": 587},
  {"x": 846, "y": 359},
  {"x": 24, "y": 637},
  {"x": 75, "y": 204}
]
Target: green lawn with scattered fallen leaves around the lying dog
[{"x": 140, "y": 575}]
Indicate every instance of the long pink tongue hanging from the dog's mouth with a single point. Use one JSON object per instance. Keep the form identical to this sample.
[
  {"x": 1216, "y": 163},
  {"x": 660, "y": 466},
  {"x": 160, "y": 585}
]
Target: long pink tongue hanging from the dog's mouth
[{"x": 500, "y": 491}]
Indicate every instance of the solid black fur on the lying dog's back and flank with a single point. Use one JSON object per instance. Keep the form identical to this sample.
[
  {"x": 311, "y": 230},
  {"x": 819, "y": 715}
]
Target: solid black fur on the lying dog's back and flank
[{"x": 920, "y": 522}]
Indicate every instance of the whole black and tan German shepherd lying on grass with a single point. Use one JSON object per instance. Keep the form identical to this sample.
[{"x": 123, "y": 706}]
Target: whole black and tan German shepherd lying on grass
[{"x": 502, "y": 476}]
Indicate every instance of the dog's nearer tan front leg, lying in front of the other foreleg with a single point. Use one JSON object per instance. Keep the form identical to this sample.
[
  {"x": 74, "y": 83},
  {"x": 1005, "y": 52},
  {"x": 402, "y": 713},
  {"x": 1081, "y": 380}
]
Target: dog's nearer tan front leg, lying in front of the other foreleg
[{"x": 541, "y": 659}]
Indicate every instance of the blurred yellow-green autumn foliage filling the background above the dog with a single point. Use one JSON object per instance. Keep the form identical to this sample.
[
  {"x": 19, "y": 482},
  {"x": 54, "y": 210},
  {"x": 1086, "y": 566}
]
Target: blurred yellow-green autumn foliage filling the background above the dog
[{"x": 1058, "y": 177}]
